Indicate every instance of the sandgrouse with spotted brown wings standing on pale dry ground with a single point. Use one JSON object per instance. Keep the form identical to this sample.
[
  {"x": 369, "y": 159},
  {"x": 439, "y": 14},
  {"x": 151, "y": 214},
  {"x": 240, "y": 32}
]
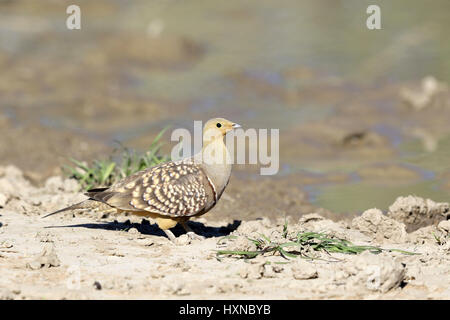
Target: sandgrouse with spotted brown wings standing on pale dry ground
[{"x": 174, "y": 191}]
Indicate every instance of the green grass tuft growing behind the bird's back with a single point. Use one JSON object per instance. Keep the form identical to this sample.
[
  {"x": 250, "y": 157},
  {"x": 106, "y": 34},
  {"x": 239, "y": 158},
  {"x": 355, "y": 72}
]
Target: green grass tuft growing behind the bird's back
[{"x": 103, "y": 173}]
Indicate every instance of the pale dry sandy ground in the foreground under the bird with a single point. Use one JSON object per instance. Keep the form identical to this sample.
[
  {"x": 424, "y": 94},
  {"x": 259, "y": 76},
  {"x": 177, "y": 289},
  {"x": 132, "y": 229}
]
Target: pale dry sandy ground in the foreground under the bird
[{"x": 91, "y": 255}]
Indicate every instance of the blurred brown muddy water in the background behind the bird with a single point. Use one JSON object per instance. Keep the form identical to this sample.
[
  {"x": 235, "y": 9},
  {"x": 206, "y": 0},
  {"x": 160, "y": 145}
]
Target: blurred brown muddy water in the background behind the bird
[{"x": 311, "y": 69}]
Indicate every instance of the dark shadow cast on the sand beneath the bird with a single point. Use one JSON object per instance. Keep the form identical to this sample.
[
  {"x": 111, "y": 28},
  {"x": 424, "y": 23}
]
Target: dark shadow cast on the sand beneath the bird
[{"x": 145, "y": 227}]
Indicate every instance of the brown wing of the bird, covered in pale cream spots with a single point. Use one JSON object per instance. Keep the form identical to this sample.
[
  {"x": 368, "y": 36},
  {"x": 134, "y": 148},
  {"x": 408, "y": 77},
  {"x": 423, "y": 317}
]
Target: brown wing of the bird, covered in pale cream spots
[{"x": 173, "y": 189}]
